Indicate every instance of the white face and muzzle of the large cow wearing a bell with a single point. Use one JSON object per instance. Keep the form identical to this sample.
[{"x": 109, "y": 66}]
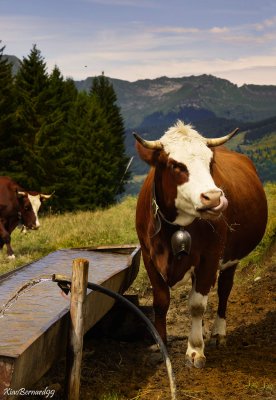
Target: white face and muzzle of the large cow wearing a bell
[{"x": 198, "y": 196}]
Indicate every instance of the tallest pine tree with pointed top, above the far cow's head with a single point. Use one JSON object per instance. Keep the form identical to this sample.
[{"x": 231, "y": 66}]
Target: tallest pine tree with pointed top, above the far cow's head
[{"x": 32, "y": 83}]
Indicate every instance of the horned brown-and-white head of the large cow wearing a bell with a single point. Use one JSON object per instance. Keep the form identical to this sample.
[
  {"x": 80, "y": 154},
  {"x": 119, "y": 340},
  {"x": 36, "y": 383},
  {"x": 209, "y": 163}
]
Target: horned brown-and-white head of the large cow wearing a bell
[{"x": 183, "y": 162}]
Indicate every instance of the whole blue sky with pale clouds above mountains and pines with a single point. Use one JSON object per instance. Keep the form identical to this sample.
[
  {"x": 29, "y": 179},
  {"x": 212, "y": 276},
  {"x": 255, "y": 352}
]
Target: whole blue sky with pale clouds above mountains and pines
[{"x": 140, "y": 39}]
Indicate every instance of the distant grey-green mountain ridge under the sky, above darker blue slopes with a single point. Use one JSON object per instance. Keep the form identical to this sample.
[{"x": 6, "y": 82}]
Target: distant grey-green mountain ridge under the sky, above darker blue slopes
[{"x": 143, "y": 100}]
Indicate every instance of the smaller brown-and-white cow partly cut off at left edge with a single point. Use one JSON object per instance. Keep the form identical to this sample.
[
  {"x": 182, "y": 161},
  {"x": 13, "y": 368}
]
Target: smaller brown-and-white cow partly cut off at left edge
[{"x": 17, "y": 207}]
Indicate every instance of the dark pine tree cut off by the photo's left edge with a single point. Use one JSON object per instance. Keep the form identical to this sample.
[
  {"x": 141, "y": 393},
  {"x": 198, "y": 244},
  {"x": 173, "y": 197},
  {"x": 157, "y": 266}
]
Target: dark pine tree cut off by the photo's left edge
[{"x": 9, "y": 149}]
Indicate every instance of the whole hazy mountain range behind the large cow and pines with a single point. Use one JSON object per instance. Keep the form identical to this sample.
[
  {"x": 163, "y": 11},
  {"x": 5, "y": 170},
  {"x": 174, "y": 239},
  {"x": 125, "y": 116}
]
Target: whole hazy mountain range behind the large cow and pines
[{"x": 213, "y": 105}]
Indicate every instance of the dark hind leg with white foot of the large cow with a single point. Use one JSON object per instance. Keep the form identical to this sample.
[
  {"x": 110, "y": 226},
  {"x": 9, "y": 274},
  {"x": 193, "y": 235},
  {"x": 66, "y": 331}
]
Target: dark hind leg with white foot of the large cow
[{"x": 225, "y": 284}]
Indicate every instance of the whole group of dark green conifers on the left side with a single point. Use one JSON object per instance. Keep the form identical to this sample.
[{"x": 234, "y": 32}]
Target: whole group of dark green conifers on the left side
[{"x": 56, "y": 139}]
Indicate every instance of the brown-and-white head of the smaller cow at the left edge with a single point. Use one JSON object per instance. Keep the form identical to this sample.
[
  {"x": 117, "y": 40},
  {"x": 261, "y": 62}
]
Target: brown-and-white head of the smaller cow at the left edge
[{"x": 29, "y": 204}]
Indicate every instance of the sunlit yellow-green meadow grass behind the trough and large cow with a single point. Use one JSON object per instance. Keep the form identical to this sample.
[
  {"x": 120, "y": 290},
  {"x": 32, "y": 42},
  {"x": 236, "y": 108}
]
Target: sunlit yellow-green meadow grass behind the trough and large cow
[{"x": 103, "y": 227}]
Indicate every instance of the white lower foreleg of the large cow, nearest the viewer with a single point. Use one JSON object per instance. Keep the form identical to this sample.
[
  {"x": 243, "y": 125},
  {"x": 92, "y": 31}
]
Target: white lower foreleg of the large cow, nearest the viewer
[{"x": 195, "y": 351}]
